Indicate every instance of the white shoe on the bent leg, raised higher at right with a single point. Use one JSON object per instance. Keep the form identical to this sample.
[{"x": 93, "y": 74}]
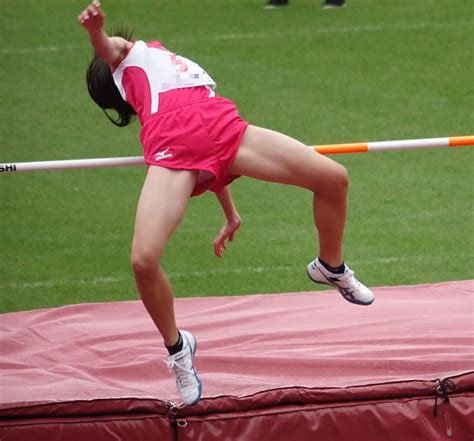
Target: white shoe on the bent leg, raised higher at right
[{"x": 350, "y": 288}]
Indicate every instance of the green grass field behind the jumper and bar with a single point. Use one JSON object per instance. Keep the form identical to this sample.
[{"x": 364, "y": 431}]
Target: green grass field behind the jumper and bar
[{"x": 376, "y": 70}]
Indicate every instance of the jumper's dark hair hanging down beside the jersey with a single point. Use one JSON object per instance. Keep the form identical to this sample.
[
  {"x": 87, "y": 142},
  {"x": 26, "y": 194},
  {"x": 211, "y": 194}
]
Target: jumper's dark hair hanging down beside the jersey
[{"x": 102, "y": 88}]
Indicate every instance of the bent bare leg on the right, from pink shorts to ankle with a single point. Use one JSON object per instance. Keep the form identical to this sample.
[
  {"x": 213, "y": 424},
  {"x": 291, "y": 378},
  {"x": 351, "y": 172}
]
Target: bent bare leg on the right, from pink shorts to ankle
[{"x": 273, "y": 157}]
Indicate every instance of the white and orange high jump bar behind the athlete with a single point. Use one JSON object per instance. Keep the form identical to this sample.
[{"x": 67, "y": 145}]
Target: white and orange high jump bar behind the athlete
[{"x": 329, "y": 149}]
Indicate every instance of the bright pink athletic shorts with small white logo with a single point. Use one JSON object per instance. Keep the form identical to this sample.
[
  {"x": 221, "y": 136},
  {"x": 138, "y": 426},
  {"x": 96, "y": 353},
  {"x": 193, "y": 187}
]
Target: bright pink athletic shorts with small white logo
[{"x": 192, "y": 131}]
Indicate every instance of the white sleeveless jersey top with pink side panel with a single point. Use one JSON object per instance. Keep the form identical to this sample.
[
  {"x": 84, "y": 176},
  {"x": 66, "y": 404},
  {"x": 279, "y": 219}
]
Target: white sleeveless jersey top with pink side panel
[{"x": 150, "y": 69}]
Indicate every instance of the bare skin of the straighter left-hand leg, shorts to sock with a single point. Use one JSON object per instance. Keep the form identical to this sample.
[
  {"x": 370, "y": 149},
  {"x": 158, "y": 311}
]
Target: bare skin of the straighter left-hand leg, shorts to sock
[{"x": 161, "y": 206}]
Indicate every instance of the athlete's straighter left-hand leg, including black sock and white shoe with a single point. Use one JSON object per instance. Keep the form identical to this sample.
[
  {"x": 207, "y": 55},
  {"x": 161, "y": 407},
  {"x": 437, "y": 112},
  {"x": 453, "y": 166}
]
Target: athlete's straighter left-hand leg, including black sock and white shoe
[{"x": 162, "y": 204}]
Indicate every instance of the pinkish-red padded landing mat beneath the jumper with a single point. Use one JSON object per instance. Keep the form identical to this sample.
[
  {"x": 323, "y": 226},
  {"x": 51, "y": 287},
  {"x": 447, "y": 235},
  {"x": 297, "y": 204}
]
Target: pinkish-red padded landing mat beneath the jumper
[{"x": 296, "y": 366}]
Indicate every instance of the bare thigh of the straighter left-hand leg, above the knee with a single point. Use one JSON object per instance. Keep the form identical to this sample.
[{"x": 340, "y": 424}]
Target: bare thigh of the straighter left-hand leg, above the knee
[{"x": 161, "y": 206}]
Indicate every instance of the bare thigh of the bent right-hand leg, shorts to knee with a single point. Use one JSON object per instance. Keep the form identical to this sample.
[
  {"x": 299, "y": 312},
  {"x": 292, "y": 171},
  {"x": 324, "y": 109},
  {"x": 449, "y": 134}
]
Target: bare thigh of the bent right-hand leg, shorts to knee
[{"x": 274, "y": 157}]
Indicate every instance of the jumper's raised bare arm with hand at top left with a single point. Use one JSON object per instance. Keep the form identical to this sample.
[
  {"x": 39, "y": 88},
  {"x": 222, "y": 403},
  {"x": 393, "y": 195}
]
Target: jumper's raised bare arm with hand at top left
[{"x": 111, "y": 49}]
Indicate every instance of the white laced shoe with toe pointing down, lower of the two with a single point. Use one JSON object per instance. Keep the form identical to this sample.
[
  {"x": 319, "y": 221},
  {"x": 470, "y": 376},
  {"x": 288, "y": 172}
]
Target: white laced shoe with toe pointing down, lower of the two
[{"x": 182, "y": 364}]
